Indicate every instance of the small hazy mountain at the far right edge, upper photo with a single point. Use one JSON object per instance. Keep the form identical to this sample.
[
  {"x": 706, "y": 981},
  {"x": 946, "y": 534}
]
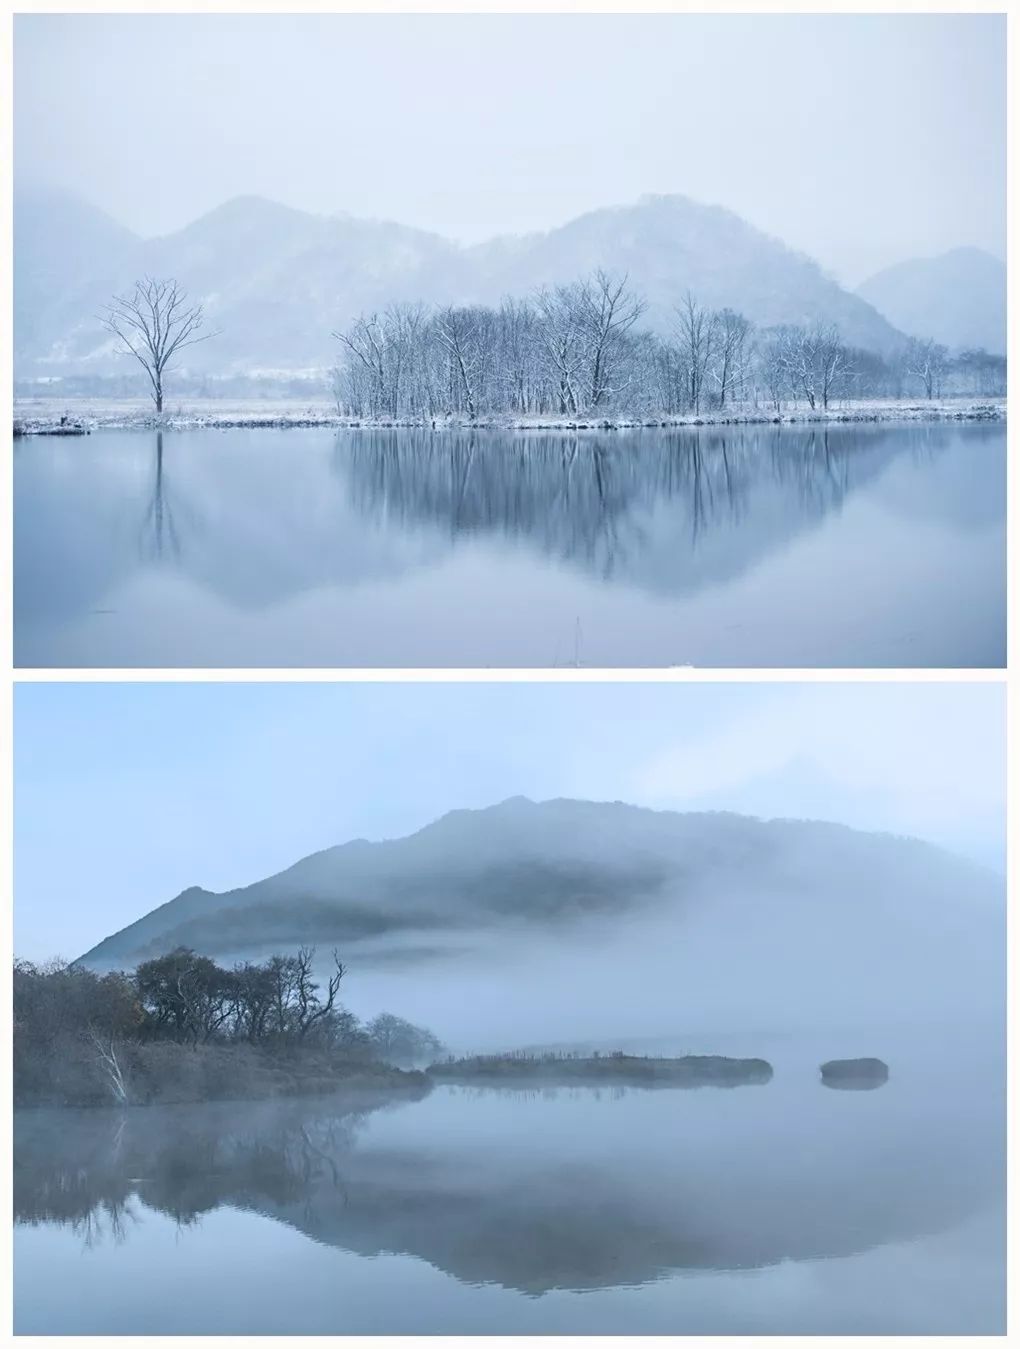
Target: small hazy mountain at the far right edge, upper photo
[{"x": 959, "y": 299}]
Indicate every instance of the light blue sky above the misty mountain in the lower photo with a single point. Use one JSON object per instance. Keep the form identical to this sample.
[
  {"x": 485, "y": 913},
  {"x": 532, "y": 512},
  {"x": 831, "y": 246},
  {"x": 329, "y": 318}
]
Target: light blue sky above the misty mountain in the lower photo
[{"x": 127, "y": 794}]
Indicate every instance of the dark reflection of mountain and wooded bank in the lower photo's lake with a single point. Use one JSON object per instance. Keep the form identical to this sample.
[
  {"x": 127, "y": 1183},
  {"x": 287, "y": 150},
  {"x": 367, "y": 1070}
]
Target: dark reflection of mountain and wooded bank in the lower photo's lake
[{"x": 531, "y": 1209}]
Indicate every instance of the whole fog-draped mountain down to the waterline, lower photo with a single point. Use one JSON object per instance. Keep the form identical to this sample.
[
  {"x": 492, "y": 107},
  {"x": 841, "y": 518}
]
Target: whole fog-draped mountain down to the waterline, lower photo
[{"x": 531, "y": 913}]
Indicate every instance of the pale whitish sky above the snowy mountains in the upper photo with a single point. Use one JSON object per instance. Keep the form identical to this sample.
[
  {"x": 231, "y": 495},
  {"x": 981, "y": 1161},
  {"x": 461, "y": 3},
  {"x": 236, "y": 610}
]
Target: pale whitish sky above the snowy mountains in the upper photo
[{"x": 861, "y": 140}]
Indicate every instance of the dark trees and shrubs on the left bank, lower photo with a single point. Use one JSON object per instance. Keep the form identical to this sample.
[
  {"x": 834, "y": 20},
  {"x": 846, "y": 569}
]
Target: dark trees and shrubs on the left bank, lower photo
[{"x": 90, "y": 1023}]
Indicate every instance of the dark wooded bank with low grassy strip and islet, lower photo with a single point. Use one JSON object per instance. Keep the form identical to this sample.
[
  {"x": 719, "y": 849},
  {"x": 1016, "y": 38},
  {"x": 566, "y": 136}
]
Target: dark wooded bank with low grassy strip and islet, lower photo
[{"x": 181, "y": 1030}]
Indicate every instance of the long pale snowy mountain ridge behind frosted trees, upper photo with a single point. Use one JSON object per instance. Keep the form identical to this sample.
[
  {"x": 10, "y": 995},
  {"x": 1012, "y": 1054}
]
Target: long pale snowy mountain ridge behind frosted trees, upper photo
[{"x": 279, "y": 281}]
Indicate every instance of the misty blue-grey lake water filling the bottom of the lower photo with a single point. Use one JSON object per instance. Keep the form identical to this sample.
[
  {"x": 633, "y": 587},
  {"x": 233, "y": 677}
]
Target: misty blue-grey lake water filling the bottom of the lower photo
[{"x": 785, "y": 1208}]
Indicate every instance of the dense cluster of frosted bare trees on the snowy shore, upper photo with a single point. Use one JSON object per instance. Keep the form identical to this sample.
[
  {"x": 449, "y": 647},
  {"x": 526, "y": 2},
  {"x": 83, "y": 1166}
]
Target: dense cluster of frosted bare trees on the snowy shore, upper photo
[{"x": 575, "y": 350}]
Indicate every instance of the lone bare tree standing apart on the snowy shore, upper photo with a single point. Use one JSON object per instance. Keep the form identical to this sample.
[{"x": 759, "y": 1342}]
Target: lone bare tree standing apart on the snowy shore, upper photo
[{"x": 154, "y": 323}]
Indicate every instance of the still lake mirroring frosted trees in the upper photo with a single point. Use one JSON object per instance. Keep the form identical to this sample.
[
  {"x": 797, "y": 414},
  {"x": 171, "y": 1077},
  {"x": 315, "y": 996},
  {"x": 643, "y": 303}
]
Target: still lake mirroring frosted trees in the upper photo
[{"x": 785, "y": 547}]
